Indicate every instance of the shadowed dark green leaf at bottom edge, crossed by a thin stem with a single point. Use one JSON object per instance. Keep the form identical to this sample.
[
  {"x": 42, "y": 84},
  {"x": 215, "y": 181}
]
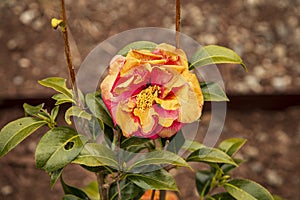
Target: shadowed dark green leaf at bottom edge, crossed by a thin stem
[{"x": 129, "y": 191}]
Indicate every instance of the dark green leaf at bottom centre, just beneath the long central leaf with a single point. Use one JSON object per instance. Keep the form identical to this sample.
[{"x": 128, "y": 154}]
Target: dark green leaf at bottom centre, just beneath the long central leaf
[{"x": 158, "y": 180}]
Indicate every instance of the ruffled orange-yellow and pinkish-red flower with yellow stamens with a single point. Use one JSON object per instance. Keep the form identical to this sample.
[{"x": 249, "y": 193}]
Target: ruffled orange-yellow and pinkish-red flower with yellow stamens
[{"x": 152, "y": 94}]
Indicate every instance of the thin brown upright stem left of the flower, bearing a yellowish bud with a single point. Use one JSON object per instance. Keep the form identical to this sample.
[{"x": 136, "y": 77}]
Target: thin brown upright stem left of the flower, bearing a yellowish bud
[{"x": 68, "y": 52}]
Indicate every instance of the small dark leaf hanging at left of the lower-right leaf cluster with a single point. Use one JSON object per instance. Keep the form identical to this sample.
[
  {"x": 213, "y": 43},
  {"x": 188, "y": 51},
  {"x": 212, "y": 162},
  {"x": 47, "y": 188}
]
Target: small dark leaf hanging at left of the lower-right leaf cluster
[{"x": 203, "y": 181}]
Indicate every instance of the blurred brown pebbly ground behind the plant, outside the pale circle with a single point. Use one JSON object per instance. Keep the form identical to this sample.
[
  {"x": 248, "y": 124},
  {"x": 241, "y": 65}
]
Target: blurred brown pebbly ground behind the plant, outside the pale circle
[{"x": 264, "y": 105}]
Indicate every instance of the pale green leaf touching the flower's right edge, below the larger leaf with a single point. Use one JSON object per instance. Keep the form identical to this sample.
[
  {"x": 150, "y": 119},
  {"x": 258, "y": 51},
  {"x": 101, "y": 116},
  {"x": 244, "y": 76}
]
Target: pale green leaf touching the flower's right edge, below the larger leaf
[{"x": 213, "y": 92}]
